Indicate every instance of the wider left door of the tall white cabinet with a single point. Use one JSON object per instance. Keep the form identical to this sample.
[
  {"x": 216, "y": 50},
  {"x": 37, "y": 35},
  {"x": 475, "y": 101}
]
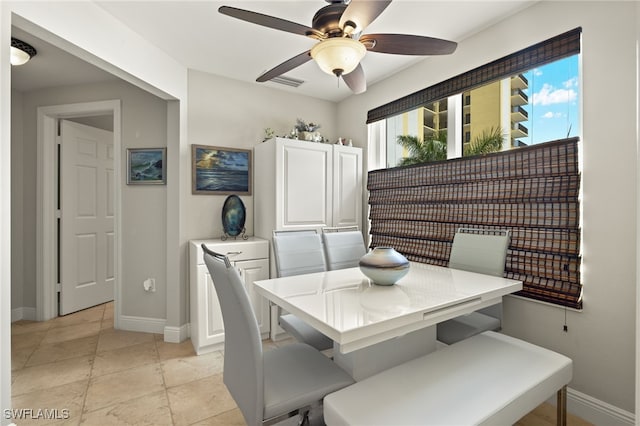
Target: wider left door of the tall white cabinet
[{"x": 304, "y": 191}]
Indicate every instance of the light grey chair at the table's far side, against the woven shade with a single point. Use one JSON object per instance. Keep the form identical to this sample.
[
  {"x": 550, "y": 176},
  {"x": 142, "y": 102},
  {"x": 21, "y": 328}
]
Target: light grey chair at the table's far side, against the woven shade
[{"x": 483, "y": 251}]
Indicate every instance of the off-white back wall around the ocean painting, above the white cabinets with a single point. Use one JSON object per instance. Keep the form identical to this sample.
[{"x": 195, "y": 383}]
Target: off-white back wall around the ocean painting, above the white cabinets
[{"x": 225, "y": 112}]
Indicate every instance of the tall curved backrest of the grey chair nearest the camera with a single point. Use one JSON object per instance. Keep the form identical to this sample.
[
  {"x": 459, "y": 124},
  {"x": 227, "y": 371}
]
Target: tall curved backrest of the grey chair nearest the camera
[{"x": 243, "y": 370}]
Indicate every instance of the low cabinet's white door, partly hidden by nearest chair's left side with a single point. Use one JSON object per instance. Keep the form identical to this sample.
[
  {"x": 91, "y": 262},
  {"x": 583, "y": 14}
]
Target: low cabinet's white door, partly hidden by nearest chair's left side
[{"x": 210, "y": 327}]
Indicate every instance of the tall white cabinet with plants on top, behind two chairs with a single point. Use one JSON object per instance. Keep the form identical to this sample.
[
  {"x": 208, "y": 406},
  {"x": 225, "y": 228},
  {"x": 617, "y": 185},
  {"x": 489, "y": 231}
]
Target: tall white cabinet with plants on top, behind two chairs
[{"x": 302, "y": 185}]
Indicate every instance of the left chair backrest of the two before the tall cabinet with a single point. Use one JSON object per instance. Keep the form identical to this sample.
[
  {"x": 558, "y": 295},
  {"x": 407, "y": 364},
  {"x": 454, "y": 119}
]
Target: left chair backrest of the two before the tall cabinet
[{"x": 298, "y": 252}]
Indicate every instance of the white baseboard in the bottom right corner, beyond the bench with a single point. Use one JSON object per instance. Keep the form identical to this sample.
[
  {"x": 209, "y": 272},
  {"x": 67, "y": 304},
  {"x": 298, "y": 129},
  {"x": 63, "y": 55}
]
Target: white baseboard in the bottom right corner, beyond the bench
[{"x": 596, "y": 411}]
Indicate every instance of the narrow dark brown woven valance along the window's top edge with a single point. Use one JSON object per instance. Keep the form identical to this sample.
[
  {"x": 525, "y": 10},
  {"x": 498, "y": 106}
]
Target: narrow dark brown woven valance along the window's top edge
[{"x": 550, "y": 50}]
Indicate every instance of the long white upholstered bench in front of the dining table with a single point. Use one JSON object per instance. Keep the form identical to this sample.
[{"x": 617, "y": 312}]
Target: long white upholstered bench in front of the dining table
[{"x": 488, "y": 379}]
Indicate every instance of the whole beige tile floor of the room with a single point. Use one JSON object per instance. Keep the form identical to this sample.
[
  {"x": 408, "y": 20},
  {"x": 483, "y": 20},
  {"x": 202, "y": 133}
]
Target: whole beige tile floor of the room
[{"x": 85, "y": 372}]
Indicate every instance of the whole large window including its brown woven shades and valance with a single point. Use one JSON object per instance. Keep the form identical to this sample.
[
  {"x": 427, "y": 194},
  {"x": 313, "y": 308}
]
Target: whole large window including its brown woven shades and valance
[{"x": 526, "y": 106}]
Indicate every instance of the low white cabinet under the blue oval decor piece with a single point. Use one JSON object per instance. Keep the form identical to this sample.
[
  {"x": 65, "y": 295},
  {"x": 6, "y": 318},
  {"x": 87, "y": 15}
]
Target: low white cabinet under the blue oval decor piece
[{"x": 251, "y": 258}]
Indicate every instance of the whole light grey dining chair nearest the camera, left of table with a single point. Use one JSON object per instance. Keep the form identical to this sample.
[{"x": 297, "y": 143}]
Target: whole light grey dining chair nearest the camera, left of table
[{"x": 268, "y": 386}]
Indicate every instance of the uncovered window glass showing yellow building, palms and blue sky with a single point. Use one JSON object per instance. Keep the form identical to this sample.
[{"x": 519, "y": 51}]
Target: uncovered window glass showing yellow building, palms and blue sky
[{"x": 536, "y": 106}]
